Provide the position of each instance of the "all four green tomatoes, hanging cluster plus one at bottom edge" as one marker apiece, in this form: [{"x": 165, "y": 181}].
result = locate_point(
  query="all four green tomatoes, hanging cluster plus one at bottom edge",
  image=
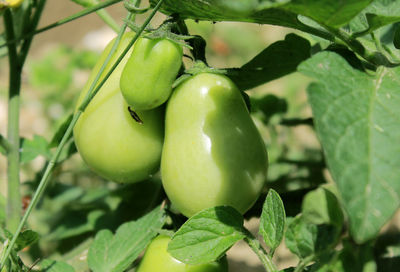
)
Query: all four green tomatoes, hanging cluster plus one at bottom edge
[{"x": 199, "y": 135}]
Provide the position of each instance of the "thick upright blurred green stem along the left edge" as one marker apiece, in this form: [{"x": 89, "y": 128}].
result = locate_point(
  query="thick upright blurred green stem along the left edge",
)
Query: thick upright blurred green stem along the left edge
[{"x": 14, "y": 205}]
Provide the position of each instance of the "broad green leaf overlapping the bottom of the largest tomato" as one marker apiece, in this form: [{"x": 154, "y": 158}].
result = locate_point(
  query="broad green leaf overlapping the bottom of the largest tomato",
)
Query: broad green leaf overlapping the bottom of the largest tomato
[{"x": 207, "y": 235}]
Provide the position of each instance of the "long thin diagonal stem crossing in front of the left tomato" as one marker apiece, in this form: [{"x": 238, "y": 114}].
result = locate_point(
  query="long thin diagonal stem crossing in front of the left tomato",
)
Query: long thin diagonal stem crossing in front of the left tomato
[{"x": 45, "y": 179}]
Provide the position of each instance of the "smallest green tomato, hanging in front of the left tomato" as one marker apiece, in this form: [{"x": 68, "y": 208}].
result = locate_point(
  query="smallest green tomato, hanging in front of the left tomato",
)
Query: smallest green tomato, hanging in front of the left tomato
[{"x": 146, "y": 81}]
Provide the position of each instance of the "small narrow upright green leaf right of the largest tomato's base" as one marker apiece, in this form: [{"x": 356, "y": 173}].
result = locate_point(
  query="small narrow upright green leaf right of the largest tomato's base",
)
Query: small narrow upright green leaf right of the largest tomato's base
[{"x": 272, "y": 221}]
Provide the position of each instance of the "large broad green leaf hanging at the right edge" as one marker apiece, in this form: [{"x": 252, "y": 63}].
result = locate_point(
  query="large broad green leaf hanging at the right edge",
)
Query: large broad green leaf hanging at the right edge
[{"x": 356, "y": 117}]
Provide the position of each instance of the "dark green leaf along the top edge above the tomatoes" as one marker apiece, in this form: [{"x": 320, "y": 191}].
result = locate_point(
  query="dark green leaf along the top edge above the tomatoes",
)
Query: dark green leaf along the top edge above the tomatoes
[{"x": 330, "y": 12}]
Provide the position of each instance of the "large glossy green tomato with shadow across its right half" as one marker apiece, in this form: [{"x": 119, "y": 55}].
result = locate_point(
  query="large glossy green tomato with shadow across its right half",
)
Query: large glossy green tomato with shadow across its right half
[{"x": 213, "y": 153}]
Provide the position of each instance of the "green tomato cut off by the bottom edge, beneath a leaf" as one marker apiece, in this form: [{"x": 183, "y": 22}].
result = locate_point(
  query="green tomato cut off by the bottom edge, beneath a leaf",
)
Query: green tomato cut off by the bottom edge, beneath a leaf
[{"x": 157, "y": 258}]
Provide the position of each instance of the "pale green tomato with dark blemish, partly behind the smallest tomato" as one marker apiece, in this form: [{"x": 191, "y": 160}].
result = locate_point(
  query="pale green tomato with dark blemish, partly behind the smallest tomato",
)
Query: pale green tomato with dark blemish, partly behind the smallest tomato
[{"x": 108, "y": 139}]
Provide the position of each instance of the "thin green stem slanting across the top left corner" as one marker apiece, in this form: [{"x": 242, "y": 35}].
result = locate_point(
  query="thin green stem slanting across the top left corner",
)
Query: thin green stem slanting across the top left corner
[{"x": 65, "y": 20}]
